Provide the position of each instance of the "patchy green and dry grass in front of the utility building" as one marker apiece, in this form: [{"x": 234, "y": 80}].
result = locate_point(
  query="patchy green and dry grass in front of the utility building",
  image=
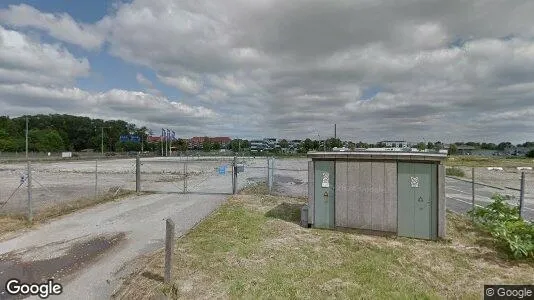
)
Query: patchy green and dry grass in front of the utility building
[{"x": 245, "y": 251}]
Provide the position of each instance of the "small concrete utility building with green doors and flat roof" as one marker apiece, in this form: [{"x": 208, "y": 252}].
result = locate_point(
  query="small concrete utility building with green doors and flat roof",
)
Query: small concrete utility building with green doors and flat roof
[{"x": 398, "y": 192}]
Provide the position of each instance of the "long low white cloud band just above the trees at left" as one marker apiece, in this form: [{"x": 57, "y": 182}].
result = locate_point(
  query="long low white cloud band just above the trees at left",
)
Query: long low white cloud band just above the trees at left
[{"x": 114, "y": 103}]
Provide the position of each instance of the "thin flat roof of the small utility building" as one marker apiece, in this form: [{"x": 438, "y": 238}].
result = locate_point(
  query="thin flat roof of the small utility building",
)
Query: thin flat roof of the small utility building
[{"x": 379, "y": 155}]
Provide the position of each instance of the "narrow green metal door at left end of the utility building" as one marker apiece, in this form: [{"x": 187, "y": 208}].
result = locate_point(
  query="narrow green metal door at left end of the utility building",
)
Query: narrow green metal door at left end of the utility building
[{"x": 324, "y": 194}]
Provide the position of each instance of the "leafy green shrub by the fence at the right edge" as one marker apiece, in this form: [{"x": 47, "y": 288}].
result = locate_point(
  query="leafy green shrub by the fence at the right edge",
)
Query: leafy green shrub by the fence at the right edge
[{"x": 503, "y": 222}]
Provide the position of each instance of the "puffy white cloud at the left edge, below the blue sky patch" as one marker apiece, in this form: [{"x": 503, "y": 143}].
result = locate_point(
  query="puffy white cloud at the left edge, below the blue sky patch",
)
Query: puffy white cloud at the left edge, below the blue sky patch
[{"x": 25, "y": 61}]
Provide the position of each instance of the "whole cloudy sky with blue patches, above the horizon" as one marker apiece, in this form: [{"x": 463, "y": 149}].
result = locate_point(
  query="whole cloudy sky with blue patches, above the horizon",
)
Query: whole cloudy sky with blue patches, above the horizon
[{"x": 405, "y": 69}]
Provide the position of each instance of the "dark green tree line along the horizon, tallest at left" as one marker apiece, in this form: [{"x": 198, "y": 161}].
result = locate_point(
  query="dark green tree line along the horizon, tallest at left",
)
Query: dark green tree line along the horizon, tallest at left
[{"x": 62, "y": 132}]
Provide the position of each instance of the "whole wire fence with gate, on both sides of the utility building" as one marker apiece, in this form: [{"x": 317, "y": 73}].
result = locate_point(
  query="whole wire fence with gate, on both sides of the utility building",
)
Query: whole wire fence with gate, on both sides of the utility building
[{"x": 57, "y": 183}]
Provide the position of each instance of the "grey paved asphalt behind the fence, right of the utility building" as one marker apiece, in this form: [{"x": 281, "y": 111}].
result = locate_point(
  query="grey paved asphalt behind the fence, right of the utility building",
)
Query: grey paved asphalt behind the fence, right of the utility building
[{"x": 459, "y": 197}]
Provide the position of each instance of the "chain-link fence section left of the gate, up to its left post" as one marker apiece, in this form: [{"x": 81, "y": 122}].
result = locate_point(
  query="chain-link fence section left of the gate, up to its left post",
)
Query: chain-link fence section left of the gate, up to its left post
[{"x": 59, "y": 184}]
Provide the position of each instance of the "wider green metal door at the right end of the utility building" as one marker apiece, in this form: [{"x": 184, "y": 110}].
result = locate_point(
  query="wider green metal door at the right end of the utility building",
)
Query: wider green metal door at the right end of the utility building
[{"x": 417, "y": 200}]
